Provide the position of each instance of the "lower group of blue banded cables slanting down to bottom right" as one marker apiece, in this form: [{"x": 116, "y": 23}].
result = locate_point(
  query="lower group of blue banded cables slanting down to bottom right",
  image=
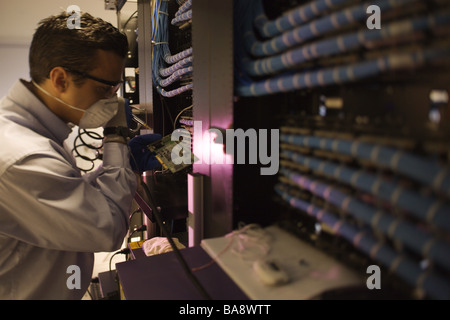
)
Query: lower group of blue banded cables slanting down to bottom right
[{"x": 390, "y": 203}]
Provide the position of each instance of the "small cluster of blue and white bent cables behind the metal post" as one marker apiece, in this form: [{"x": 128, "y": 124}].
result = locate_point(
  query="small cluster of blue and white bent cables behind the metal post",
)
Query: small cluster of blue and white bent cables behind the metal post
[{"x": 172, "y": 67}]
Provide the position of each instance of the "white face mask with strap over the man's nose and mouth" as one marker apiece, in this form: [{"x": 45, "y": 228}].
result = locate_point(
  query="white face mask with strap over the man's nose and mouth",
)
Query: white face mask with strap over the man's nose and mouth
[{"x": 97, "y": 115}]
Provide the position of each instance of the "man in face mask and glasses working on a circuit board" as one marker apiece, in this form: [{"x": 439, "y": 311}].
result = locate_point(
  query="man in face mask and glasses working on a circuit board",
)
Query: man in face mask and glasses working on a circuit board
[{"x": 52, "y": 218}]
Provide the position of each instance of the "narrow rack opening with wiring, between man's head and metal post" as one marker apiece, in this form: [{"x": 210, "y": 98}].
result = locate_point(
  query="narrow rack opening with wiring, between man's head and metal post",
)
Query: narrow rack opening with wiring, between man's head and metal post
[{"x": 172, "y": 62}]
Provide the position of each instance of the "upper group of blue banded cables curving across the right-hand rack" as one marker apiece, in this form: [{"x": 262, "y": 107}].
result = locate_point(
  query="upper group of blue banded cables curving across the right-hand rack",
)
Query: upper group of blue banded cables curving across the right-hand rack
[{"x": 292, "y": 49}]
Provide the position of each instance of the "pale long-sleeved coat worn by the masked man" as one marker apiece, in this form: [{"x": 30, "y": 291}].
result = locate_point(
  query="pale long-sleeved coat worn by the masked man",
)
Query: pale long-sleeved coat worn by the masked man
[{"x": 51, "y": 216}]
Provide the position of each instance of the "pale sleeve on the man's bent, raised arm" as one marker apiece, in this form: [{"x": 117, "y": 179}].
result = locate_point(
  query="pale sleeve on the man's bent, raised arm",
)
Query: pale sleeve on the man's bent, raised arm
[{"x": 46, "y": 202}]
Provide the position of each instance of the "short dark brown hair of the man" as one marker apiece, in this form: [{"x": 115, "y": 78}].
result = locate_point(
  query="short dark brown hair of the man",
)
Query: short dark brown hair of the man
[{"x": 55, "y": 44}]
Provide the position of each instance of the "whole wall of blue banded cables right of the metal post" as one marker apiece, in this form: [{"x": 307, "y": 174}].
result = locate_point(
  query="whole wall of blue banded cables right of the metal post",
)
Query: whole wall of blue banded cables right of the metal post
[{"x": 360, "y": 151}]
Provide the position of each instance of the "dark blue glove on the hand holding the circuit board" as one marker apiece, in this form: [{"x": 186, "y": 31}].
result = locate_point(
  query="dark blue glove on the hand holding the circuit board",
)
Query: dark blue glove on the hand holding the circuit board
[{"x": 141, "y": 158}]
